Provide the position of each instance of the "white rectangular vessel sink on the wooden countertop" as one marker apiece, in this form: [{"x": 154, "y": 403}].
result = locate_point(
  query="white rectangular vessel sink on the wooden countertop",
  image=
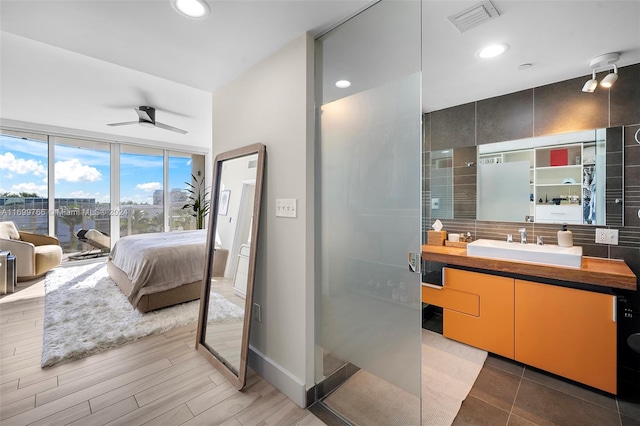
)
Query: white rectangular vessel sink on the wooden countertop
[{"x": 546, "y": 254}]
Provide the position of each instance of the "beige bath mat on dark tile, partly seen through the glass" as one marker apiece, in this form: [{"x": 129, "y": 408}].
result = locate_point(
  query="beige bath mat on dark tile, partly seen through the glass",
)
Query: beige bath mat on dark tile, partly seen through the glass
[{"x": 449, "y": 370}]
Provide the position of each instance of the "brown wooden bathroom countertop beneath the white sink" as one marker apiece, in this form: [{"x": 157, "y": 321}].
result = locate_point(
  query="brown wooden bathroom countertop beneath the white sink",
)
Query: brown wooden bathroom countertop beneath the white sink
[{"x": 602, "y": 272}]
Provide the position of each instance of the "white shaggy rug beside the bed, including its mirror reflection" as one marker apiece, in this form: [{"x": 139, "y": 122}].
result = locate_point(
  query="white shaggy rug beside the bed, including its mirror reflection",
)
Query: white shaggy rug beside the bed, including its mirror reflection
[{"x": 86, "y": 313}]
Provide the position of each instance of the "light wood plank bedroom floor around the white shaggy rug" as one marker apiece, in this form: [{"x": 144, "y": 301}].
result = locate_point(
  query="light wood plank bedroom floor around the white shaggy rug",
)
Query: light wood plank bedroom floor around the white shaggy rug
[{"x": 159, "y": 380}]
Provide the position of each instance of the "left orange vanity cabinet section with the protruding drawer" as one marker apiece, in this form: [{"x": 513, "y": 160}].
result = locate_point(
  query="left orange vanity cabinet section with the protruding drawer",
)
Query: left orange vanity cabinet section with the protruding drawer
[{"x": 477, "y": 309}]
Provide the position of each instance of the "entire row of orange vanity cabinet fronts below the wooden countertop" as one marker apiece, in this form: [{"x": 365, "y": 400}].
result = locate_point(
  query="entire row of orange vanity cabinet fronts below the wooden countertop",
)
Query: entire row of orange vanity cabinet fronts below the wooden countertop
[{"x": 566, "y": 331}]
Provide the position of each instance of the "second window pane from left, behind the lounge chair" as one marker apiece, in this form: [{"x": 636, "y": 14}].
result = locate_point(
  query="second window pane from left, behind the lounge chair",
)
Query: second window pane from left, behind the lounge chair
[{"x": 82, "y": 171}]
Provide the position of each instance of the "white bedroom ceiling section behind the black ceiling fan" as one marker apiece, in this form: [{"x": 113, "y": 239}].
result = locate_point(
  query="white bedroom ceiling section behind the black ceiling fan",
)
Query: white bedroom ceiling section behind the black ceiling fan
[{"x": 76, "y": 95}]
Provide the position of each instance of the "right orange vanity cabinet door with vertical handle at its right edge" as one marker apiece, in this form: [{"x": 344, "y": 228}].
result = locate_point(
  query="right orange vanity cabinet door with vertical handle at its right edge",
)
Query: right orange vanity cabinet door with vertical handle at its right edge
[{"x": 568, "y": 332}]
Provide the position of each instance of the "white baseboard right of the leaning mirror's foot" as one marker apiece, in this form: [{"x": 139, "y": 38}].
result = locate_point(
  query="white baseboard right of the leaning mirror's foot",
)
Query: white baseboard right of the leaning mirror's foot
[{"x": 278, "y": 377}]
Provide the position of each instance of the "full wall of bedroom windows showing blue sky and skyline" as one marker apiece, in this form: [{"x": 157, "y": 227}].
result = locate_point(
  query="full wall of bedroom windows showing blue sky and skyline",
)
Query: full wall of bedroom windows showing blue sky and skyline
[{"x": 59, "y": 185}]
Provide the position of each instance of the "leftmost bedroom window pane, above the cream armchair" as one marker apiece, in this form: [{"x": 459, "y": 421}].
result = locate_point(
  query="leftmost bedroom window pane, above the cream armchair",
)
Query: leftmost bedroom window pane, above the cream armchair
[{"x": 23, "y": 181}]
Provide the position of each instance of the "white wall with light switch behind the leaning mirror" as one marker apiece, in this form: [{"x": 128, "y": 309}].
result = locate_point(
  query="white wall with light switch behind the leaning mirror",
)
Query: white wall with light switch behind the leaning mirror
[{"x": 272, "y": 104}]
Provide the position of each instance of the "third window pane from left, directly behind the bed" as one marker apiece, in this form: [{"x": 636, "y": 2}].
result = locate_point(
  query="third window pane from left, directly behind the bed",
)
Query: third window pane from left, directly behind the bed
[{"x": 141, "y": 190}]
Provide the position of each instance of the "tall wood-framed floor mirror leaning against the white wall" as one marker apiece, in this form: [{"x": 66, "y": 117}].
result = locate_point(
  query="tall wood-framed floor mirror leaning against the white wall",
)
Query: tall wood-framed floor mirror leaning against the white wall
[{"x": 229, "y": 274}]
